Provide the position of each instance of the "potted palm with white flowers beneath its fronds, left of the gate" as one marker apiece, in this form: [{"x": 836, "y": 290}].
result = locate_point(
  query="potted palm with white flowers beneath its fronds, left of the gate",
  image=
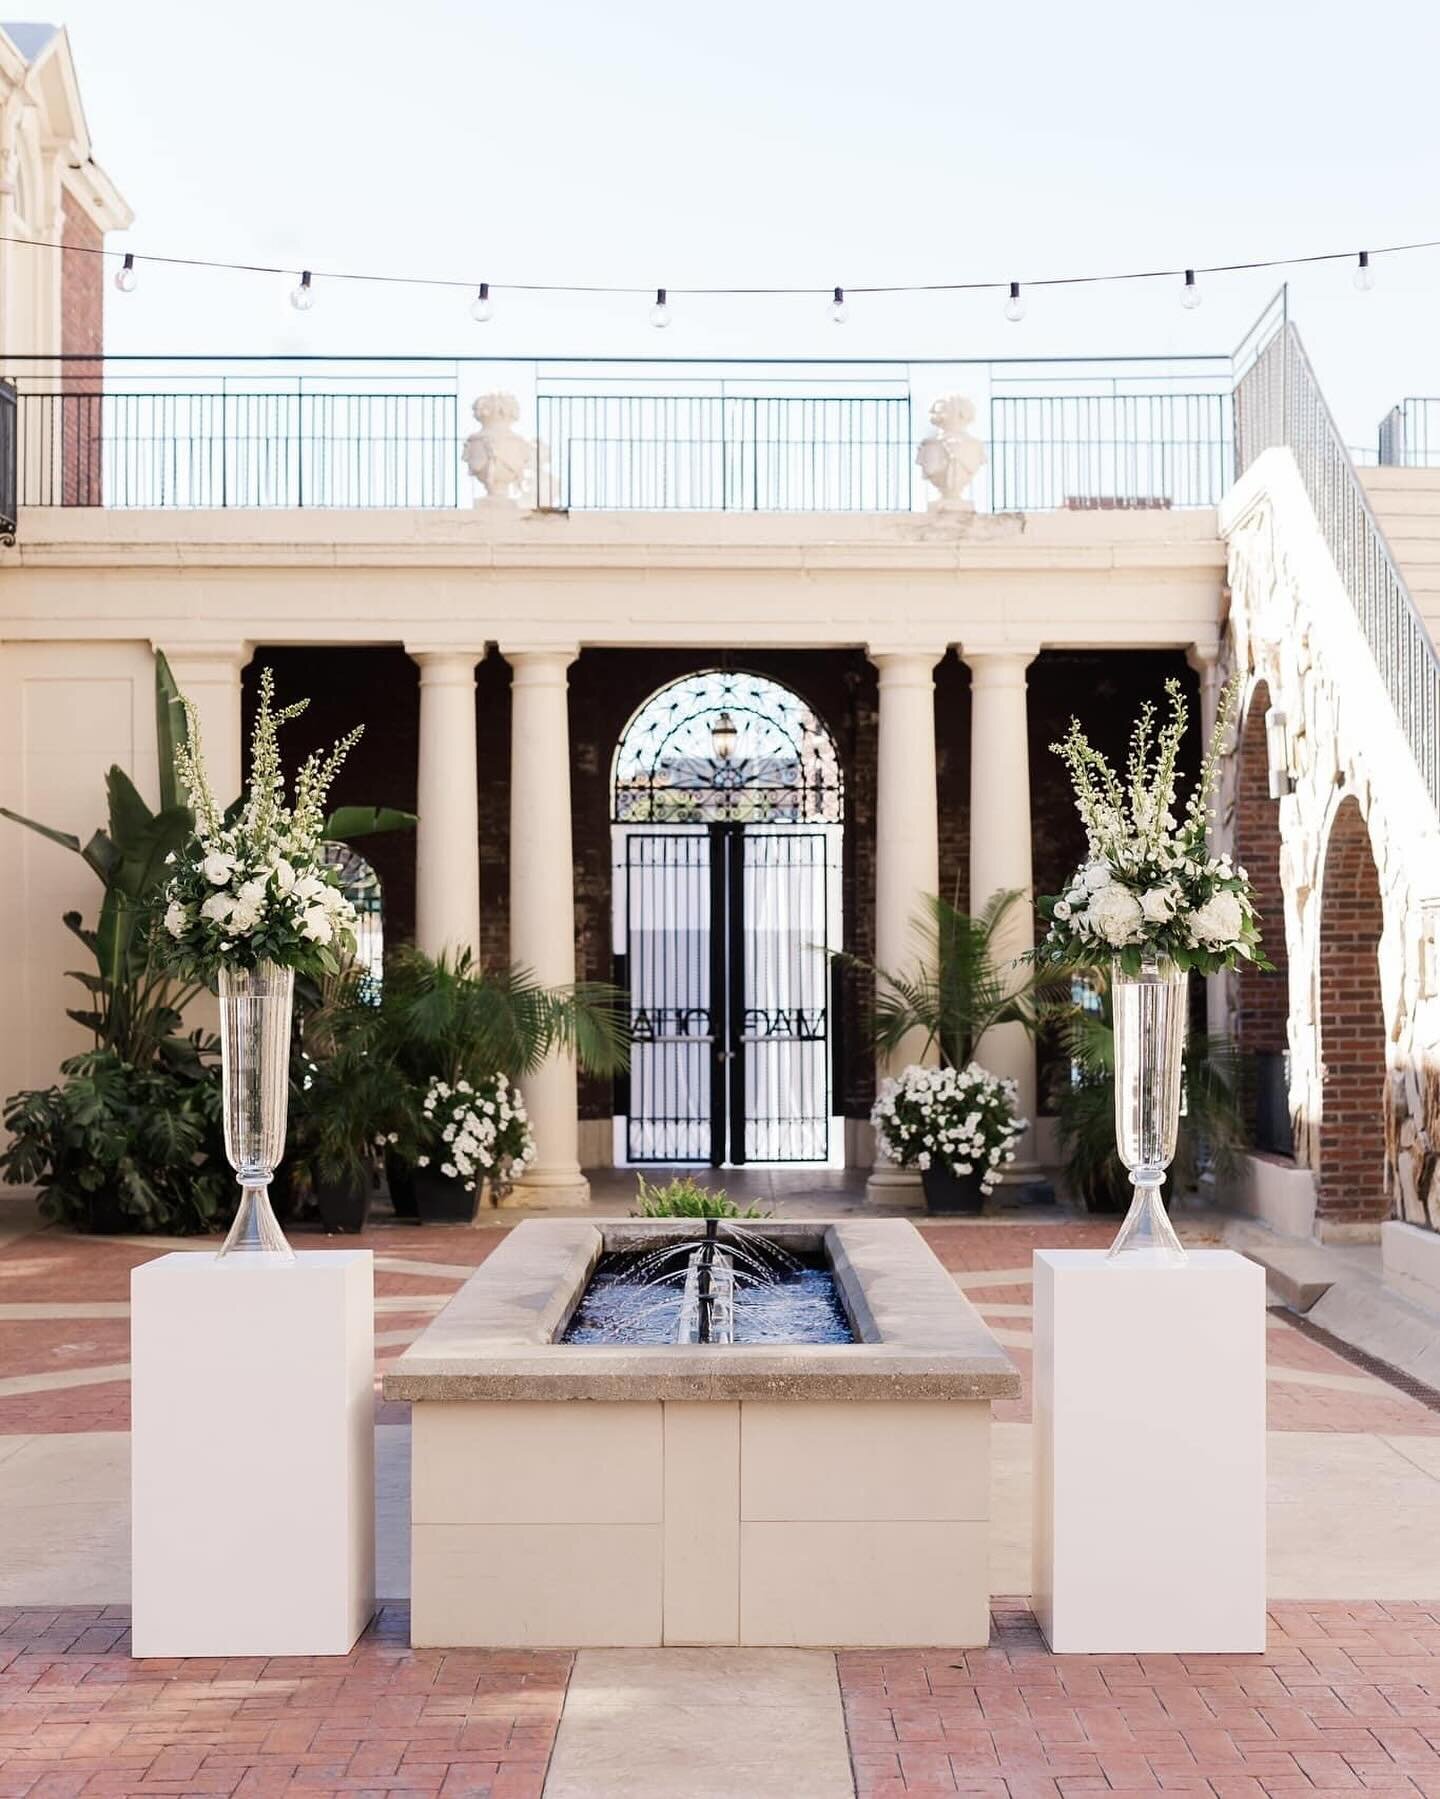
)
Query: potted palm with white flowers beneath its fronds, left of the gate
[{"x": 458, "y": 1039}]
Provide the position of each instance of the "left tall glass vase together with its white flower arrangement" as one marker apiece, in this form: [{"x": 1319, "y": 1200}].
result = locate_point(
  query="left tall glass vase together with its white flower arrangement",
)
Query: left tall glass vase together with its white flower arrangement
[{"x": 249, "y": 904}]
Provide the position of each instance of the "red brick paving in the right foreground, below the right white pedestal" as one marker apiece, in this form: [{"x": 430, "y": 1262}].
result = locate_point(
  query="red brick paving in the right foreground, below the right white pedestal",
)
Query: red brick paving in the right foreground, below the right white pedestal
[{"x": 1347, "y": 1697}]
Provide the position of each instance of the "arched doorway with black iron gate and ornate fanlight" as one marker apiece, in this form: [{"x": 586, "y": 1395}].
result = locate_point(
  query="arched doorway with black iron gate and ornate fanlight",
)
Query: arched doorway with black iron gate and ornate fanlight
[{"x": 728, "y": 812}]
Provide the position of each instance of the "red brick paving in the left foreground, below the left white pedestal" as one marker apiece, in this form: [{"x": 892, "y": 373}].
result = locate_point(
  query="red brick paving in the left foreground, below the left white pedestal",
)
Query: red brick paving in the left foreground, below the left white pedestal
[{"x": 80, "y": 1717}]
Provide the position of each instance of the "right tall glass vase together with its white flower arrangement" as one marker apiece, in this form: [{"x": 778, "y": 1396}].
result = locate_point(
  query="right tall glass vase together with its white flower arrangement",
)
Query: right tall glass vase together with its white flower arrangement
[{"x": 1155, "y": 902}]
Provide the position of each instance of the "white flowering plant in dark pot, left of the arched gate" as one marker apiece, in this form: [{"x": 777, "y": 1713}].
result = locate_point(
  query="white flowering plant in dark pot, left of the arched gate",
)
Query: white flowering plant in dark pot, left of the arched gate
[{"x": 474, "y": 1136}]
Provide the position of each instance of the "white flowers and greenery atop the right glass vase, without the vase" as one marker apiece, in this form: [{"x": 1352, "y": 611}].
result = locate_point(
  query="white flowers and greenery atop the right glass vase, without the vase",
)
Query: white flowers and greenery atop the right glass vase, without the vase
[{"x": 1149, "y": 888}]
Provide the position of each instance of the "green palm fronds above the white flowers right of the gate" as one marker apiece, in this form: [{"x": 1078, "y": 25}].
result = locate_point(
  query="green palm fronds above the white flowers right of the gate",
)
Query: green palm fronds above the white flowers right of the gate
[{"x": 960, "y": 989}]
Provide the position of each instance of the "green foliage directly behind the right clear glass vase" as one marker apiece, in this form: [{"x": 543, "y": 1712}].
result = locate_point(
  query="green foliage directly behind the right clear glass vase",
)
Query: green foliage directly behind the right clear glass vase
[{"x": 1212, "y": 1129}]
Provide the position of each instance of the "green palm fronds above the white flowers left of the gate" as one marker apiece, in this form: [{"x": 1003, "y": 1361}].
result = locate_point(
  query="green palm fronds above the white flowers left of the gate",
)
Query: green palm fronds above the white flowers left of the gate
[{"x": 449, "y": 1019}]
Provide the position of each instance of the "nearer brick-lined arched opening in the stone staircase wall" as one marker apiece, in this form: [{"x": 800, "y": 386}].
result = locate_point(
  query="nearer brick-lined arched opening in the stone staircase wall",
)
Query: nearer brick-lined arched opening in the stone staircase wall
[{"x": 1353, "y": 1037}]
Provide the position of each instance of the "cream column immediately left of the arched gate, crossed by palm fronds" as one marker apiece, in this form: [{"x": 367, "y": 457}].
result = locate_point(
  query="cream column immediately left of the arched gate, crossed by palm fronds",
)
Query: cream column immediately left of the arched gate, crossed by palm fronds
[{"x": 543, "y": 904}]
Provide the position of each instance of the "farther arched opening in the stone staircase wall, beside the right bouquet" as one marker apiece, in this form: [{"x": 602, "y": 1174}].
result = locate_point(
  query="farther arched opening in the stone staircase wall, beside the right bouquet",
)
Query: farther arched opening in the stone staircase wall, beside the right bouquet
[{"x": 1263, "y": 1012}]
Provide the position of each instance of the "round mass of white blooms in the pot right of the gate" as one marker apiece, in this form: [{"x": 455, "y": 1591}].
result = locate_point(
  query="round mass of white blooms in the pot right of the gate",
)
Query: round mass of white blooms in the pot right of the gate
[{"x": 960, "y": 1120}]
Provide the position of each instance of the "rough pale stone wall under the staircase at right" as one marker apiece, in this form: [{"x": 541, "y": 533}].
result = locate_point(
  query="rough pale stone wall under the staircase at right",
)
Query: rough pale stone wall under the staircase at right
[{"x": 1299, "y": 649}]
